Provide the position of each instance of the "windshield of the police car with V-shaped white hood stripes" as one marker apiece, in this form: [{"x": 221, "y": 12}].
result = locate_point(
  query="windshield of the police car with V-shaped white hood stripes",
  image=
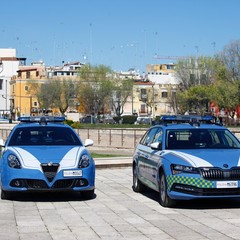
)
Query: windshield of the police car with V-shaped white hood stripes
[{"x": 36, "y": 136}]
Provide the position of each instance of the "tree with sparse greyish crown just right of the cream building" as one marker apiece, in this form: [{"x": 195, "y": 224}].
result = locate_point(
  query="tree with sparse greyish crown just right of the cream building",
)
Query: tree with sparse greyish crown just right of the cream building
[{"x": 197, "y": 78}]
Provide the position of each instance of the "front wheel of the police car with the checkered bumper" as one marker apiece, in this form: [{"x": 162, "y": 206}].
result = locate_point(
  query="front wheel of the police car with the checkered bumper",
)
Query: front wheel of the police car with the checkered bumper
[{"x": 164, "y": 199}]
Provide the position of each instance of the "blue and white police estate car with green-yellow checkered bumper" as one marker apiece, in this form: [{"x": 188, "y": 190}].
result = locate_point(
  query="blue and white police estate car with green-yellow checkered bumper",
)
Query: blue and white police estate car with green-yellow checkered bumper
[{"x": 189, "y": 160}]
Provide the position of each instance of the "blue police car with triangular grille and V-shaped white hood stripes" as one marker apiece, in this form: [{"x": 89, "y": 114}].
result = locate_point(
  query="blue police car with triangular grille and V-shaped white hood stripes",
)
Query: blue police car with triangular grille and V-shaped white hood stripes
[{"x": 44, "y": 154}]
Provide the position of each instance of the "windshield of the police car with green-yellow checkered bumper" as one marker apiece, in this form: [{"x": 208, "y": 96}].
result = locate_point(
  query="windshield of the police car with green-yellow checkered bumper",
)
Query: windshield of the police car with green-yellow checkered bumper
[{"x": 201, "y": 138}]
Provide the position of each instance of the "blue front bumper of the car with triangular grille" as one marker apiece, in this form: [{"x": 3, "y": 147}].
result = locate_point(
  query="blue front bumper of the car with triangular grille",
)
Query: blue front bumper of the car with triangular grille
[{"x": 35, "y": 180}]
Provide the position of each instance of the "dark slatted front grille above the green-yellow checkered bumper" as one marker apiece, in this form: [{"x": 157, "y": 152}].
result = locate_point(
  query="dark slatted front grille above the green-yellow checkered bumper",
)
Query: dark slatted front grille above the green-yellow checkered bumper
[{"x": 220, "y": 174}]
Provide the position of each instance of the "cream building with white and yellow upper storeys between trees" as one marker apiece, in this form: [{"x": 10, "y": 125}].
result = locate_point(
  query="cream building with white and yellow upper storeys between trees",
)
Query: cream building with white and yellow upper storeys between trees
[{"x": 156, "y": 94}]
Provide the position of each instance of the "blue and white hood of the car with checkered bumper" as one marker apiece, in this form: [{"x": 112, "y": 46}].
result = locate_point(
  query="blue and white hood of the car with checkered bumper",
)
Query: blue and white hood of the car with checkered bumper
[{"x": 206, "y": 157}]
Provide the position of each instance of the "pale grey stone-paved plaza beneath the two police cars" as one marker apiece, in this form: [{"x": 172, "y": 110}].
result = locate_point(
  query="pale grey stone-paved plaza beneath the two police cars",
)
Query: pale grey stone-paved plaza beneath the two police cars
[{"x": 116, "y": 213}]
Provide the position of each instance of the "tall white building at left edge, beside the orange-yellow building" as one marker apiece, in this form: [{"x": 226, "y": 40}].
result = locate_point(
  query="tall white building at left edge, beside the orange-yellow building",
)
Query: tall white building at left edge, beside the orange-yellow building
[{"x": 9, "y": 64}]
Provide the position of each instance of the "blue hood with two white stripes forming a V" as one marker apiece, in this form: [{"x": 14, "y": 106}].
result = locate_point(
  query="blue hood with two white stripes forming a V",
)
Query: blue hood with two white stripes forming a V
[{"x": 32, "y": 157}]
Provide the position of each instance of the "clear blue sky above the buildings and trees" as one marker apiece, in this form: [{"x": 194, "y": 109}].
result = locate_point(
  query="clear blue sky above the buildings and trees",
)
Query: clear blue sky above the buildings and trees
[{"x": 120, "y": 34}]
